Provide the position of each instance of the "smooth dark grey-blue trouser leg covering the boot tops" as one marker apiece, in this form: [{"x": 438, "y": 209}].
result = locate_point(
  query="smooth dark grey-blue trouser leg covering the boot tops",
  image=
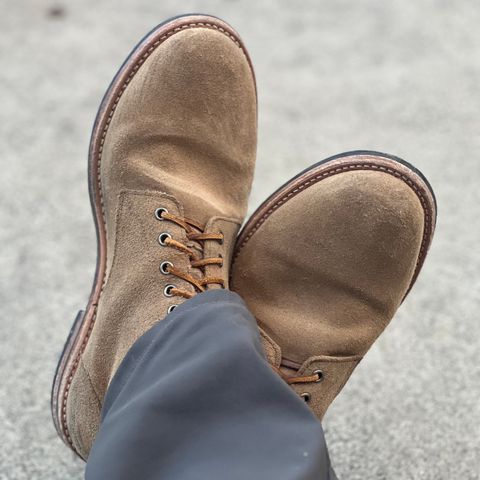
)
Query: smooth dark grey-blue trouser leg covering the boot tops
[{"x": 195, "y": 399}]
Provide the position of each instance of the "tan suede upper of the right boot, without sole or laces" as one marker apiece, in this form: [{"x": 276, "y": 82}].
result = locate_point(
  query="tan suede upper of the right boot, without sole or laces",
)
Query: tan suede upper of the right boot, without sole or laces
[{"x": 326, "y": 271}]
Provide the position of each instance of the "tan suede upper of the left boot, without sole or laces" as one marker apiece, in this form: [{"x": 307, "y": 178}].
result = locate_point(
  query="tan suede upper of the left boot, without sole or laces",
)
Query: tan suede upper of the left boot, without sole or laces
[{"x": 183, "y": 137}]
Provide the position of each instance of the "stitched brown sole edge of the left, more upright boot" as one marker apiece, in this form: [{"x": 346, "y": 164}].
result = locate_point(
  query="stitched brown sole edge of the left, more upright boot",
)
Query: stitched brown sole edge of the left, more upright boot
[{"x": 82, "y": 327}]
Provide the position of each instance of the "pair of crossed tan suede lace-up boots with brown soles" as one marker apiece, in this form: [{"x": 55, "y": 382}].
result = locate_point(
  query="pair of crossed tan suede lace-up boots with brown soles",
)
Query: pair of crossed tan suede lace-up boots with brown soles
[{"x": 323, "y": 264}]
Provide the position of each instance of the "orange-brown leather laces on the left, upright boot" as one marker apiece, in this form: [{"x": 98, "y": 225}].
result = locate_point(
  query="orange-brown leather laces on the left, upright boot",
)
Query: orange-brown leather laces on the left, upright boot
[{"x": 197, "y": 235}]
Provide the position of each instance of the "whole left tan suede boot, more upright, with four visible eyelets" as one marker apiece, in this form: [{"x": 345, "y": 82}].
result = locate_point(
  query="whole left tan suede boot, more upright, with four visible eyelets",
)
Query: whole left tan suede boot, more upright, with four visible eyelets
[{"x": 170, "y": 167}]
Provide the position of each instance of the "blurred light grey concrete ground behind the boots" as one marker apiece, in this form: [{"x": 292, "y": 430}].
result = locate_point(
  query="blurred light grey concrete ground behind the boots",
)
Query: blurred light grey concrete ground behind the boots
[{"x": 399, "y": 77}]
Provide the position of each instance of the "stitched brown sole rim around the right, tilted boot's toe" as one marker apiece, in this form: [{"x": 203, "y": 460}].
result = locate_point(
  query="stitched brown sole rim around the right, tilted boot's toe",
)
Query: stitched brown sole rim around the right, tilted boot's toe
[{"x": 344, "y": 162}]
